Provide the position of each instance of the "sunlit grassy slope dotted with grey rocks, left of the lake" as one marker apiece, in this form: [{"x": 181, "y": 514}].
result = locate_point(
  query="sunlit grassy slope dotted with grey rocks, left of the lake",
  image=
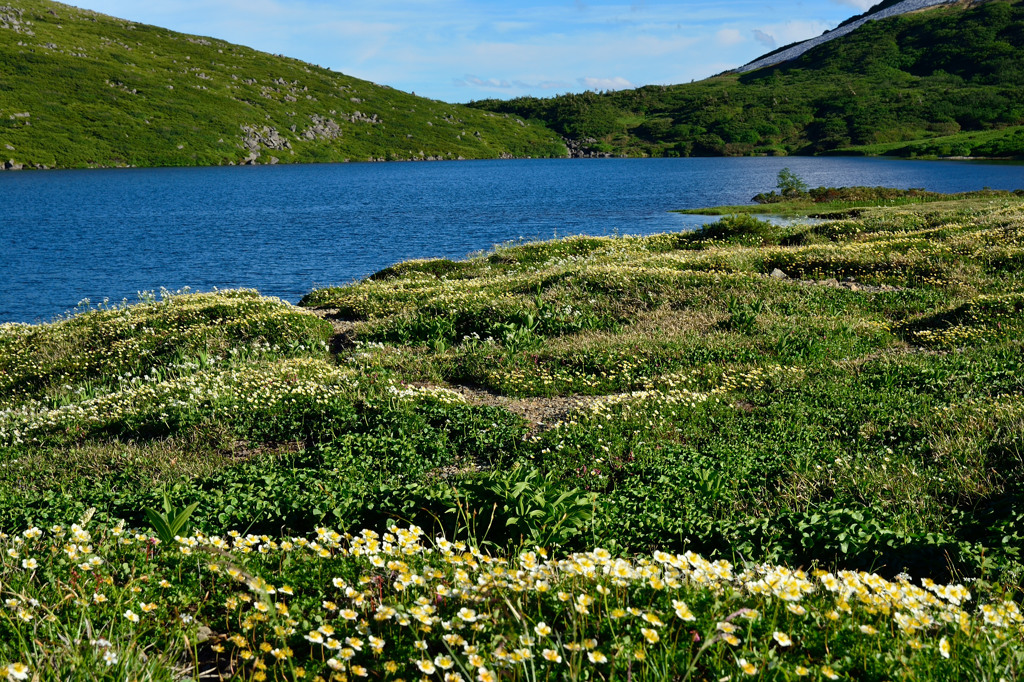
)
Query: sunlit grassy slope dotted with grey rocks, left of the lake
[{"x": 78, "y": 89}]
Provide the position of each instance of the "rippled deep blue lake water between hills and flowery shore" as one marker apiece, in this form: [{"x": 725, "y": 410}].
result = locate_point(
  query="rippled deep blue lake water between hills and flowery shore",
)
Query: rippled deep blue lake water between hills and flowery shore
[{"x": 68, "y": 236}]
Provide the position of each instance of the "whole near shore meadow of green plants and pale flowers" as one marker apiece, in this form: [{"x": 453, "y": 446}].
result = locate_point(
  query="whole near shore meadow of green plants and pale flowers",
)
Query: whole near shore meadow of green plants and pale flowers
[{"x": 750, "y": 451}]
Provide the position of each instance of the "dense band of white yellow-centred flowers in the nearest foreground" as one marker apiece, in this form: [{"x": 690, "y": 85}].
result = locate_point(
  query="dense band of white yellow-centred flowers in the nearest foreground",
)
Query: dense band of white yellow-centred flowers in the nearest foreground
[{"x": 108, "y": 603}]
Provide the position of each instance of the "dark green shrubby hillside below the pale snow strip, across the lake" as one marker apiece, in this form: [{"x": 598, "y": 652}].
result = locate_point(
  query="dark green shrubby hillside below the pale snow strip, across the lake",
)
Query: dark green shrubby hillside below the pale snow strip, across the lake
[{"x": 914, "y": 84}]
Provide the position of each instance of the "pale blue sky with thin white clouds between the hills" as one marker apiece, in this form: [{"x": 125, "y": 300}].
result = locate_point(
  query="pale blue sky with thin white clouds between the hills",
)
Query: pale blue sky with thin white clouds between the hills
[{"x": 459, "y": 51}]
